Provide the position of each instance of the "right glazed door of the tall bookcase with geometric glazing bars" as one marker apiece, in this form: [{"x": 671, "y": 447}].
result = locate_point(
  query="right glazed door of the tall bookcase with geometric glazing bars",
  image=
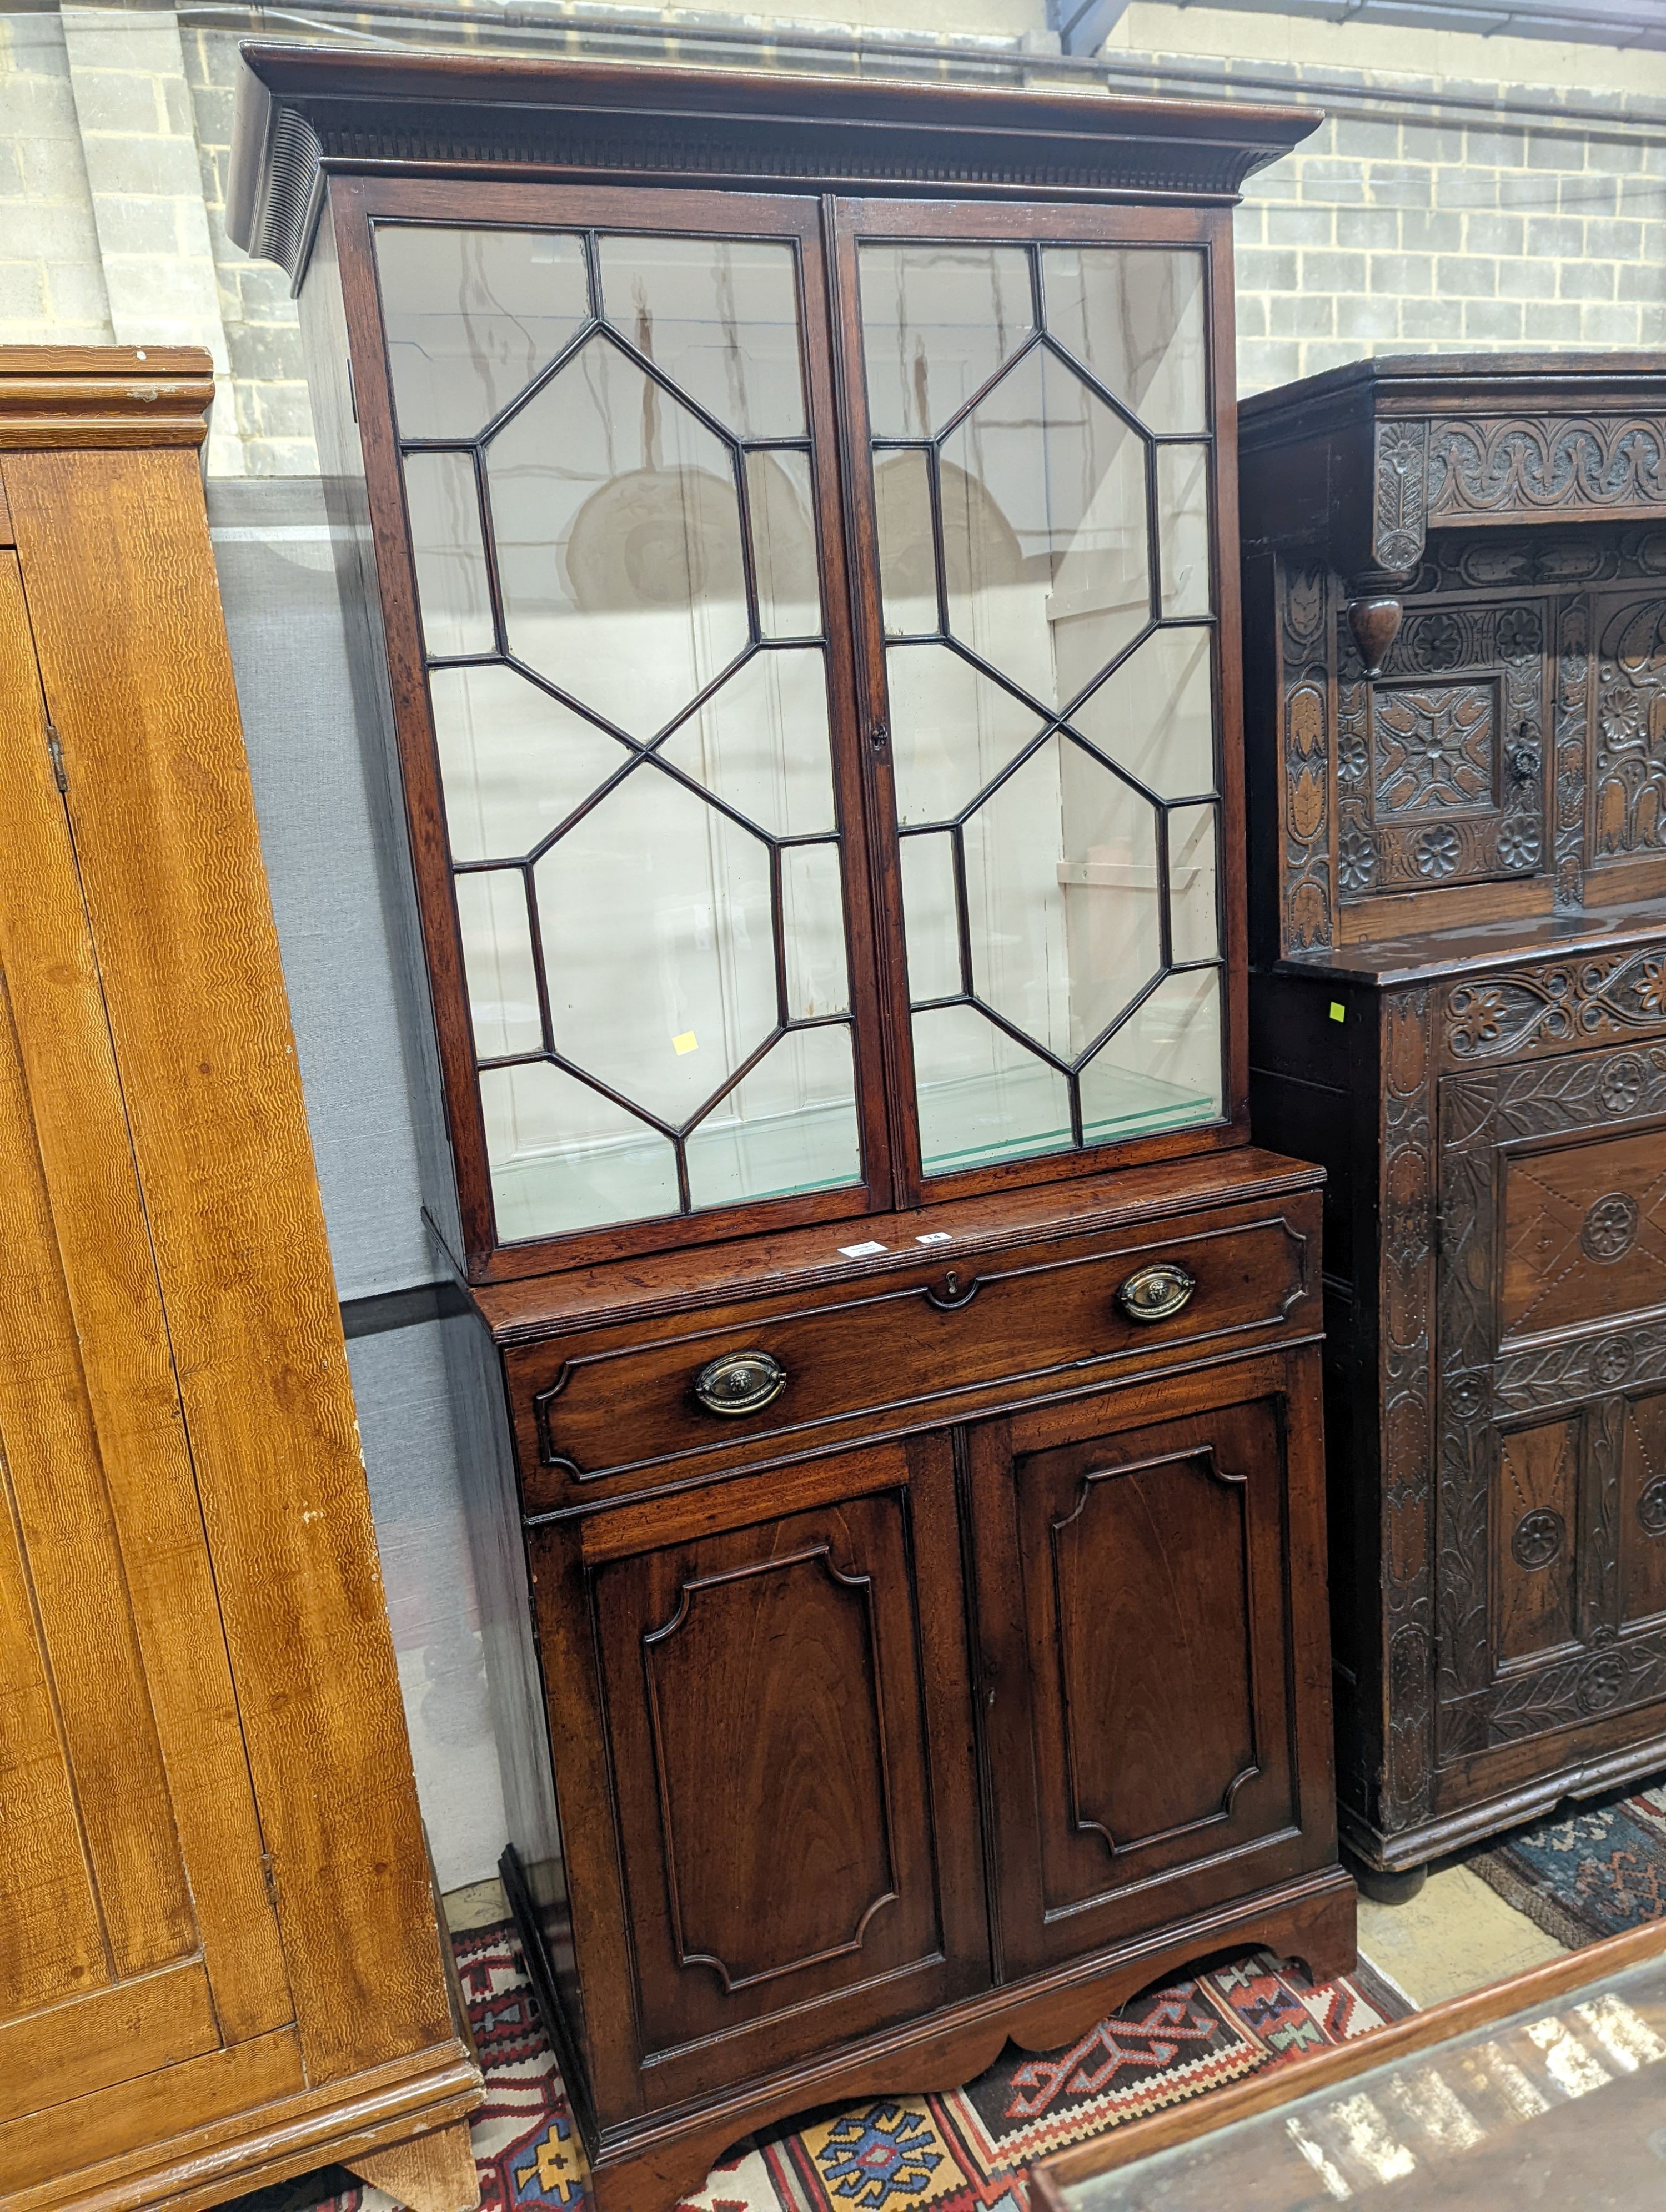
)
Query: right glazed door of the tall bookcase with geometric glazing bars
[{"x": 1048, "y": 625}]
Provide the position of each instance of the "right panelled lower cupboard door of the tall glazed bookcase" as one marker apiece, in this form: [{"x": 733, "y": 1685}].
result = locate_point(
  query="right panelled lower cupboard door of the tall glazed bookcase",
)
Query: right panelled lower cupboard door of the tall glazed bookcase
[{"x": 1136, "y": 1627}]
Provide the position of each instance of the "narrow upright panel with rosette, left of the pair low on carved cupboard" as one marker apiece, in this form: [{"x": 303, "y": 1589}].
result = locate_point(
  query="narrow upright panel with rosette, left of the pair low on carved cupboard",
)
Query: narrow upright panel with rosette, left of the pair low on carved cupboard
[{"x": 1537, "y": 1512}]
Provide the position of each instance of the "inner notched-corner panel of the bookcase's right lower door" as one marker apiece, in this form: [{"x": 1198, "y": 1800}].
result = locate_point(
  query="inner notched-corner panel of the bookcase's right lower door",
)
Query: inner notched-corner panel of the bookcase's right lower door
[{"x": 1118, "y": 1541}]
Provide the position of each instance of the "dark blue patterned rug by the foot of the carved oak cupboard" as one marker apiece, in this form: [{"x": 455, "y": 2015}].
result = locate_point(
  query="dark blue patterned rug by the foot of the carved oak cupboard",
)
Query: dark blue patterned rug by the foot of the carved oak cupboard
[{"x": 1587, "y": 1872}]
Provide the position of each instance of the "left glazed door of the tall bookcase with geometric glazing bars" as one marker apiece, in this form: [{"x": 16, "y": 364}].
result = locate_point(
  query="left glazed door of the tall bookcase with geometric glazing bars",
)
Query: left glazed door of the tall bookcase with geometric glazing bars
[{"x": 605, "y": 435}]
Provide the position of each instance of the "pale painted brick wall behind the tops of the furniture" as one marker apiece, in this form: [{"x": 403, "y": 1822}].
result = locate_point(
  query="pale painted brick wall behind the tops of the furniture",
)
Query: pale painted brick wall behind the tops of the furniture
[{"x": 1450, "y": 211}]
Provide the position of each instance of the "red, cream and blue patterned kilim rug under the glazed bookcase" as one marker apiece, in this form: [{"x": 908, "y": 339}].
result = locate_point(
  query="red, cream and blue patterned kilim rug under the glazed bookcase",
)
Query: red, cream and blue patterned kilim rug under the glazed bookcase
[{"x": 955, "y": 2153}]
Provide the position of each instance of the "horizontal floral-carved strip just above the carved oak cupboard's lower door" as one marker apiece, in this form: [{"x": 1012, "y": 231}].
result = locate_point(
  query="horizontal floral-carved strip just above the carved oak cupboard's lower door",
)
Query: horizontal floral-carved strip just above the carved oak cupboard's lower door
[{"x": 1514, "y": 1014}]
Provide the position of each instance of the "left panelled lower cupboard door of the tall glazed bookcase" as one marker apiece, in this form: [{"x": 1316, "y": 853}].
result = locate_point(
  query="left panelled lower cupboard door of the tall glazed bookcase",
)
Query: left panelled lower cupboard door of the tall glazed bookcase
[{"x": 789, "y": 1733}]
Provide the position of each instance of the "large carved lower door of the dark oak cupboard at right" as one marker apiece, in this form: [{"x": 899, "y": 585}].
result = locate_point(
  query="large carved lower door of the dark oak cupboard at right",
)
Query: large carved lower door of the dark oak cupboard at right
[{"x": 1563, "y": 1244}]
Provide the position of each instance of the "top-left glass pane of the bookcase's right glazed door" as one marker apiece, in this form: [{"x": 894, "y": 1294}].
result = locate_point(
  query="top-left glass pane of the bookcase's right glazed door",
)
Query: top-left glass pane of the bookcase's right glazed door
[{"x": 937, "y": 326}]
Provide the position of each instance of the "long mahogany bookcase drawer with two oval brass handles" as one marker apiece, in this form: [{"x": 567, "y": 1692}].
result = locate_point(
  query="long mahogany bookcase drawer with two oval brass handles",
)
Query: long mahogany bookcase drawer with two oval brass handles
[{"x": 902, "y": 1350}]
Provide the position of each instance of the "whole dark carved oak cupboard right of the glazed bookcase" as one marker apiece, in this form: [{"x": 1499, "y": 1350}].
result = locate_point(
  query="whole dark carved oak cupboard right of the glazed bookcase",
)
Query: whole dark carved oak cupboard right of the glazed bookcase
[{"x": 1457, "y": 722}]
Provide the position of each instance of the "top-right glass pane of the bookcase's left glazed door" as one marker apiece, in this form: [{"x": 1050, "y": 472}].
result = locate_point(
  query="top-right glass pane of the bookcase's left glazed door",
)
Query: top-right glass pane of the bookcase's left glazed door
[{"x": 720, "y": 317}]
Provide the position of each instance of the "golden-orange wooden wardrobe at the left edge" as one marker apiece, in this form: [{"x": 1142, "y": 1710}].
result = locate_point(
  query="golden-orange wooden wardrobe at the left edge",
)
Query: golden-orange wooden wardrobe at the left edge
[{"x": 220, "y": 1959}]
